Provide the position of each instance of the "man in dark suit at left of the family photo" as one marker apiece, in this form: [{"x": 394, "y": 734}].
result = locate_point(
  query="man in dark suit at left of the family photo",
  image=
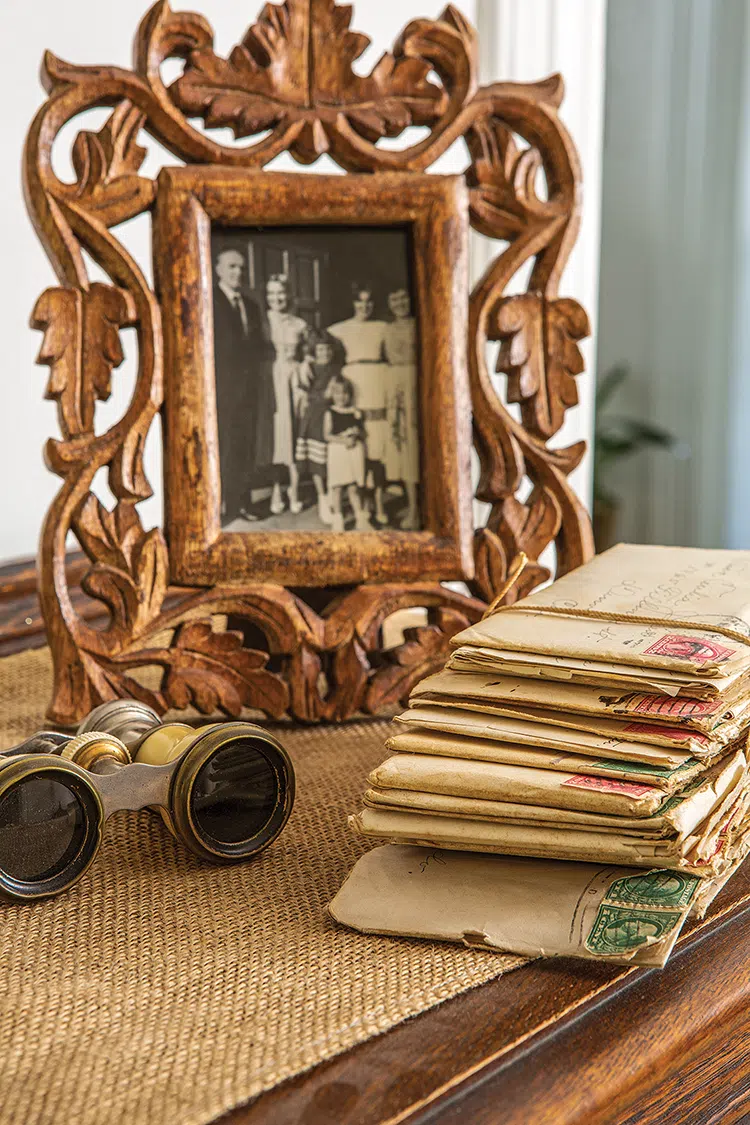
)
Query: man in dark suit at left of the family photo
[{"x": 241, "y": 345}]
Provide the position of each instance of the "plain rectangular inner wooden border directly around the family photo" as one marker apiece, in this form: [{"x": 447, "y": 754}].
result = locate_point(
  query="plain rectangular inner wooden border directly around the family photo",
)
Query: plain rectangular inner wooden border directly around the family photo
[{"x": 432, "y": 211}]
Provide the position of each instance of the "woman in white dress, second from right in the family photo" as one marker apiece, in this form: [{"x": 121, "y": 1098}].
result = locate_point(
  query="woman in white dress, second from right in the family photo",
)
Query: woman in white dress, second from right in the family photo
[{"x": 364, "y": 343}]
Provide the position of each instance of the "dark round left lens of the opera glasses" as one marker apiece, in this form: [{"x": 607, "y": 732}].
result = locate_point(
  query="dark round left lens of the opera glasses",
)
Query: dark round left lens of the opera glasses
[{"x": 42, "y": 830}]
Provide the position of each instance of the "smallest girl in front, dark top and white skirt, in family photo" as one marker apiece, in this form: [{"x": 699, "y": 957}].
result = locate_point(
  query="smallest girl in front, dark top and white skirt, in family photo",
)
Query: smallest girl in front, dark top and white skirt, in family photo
[{"x": 344, "y": 428}]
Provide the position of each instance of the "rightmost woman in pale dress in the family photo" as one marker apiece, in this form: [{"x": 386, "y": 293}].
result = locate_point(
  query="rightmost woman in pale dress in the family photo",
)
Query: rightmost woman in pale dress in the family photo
[{"x": 403, "y": 447}]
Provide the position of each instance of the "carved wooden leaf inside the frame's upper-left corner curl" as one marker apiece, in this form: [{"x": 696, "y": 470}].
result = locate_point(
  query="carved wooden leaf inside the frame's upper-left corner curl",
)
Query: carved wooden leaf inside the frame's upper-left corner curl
[{"x": 107, "y": 164}]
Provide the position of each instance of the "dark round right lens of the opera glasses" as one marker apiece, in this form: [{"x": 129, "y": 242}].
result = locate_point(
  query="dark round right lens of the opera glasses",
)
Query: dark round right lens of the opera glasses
[{"x": 236, "y": 794}]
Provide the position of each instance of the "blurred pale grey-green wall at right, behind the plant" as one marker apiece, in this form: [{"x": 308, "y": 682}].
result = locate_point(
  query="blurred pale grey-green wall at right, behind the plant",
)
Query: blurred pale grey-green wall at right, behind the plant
[{"x": 670, "y": 256}]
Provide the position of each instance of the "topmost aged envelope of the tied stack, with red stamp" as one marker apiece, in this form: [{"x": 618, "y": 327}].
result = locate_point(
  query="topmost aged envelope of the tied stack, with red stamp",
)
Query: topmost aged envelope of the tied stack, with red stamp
[{"x": 682, "y": 609}]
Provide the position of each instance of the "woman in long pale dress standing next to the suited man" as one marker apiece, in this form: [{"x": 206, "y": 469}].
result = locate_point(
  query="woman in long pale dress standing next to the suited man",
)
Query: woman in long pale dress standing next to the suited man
[{"x": 288, "y": 335}]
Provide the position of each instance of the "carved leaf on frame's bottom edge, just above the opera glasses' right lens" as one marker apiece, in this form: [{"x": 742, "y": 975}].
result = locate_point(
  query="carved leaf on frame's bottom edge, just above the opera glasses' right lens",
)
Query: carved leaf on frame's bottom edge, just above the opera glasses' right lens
[{"x": 214, "y": 672}]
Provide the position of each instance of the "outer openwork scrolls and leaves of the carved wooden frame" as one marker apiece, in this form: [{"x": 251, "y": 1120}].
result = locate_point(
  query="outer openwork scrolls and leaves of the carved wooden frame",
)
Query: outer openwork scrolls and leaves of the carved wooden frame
[{"x": 292, "y": 85}]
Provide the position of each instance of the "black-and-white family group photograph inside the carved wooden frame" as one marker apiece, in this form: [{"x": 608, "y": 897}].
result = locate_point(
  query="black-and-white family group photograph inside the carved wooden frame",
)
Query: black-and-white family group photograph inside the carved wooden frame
[{"x": 315, "y": 345}]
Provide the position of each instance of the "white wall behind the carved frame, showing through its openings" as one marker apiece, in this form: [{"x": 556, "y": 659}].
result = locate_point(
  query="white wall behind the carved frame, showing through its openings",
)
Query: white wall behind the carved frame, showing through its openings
[{"x": 521, "y": 40}]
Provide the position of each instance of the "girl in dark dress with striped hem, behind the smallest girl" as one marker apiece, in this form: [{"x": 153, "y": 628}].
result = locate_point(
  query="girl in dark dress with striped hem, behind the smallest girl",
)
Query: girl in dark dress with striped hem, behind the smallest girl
[{"x": 312, "y": 453}]
